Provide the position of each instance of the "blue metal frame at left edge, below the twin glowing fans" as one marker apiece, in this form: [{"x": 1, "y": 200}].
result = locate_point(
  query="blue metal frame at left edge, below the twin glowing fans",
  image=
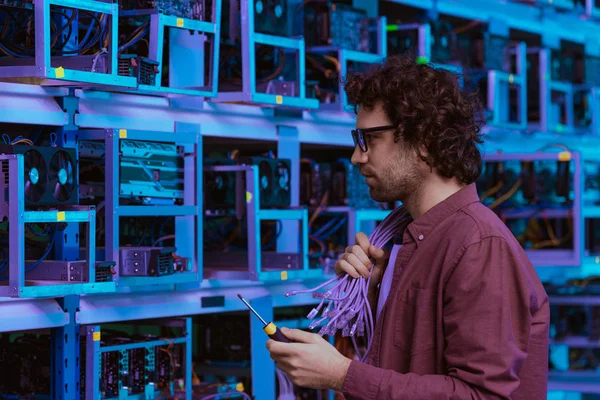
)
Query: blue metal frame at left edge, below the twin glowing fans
[{"x": 18, "y": 217}]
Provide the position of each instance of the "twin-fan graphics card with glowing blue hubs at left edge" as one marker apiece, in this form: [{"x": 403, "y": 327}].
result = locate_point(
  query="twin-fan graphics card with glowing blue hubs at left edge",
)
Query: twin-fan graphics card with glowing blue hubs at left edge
[{"x": 50, "y": 174}]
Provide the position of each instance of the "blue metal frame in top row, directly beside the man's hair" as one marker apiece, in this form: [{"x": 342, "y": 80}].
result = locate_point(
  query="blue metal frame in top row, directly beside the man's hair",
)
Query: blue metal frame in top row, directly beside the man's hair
[{"x": 345, "y": 56}]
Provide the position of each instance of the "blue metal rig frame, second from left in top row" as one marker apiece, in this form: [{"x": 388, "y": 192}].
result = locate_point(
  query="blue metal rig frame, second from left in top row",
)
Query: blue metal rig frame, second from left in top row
[{"x": 158, "y": 23}]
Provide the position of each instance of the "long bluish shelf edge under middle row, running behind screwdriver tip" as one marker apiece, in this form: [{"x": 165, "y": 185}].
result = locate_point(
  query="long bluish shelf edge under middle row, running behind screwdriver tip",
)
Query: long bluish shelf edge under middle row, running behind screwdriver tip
[{"x": 134, "y": 306}]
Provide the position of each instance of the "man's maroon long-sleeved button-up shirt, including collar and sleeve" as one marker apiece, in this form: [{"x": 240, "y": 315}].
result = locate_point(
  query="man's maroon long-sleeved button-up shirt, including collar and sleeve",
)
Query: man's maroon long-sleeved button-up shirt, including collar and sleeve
[{"x": 466, "y": 318}]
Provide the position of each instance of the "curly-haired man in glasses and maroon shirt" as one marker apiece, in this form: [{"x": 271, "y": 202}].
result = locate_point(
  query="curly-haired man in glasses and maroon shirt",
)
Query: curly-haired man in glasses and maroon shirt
[{"x": 461, "y": 313}]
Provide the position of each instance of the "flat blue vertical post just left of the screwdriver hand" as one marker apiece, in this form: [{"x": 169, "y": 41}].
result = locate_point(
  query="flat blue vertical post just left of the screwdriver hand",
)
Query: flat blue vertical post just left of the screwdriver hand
[{"x": 262, "y": 368}]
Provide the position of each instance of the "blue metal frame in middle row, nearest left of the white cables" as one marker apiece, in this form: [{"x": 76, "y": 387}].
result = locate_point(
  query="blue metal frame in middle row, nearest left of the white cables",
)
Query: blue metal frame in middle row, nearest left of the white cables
[{"x": 254, "y": 216}]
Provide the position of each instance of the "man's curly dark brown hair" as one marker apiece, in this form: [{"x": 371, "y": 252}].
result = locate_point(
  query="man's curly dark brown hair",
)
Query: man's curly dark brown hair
[{"x": 428, "y": 107}]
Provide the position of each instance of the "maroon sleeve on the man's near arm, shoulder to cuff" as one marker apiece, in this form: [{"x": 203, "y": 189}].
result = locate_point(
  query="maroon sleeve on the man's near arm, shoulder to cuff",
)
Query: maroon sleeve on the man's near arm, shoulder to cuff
[{"x": 487, "y": 320}]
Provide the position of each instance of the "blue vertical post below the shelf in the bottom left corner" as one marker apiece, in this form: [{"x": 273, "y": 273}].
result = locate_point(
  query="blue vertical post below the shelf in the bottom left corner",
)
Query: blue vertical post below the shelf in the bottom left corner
[{"x": 65, "y": 354}]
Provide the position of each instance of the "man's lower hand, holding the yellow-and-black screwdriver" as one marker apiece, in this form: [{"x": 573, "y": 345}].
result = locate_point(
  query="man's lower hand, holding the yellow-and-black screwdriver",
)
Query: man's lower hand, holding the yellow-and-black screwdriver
[{"x": 309, "y": 361}]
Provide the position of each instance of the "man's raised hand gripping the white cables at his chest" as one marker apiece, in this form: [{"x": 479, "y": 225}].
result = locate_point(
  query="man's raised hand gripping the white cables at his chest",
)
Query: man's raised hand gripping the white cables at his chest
[{"x": 358, "y": 259}]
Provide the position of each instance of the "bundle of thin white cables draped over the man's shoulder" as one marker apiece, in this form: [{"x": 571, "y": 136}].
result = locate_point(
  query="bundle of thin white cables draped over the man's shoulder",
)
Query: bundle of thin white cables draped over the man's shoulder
[{"x": 347, "y": 307}]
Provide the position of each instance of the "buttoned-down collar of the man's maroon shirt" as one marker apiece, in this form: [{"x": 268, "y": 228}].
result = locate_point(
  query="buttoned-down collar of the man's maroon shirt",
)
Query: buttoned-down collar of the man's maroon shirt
[{"x": 419, "y": 229}]
